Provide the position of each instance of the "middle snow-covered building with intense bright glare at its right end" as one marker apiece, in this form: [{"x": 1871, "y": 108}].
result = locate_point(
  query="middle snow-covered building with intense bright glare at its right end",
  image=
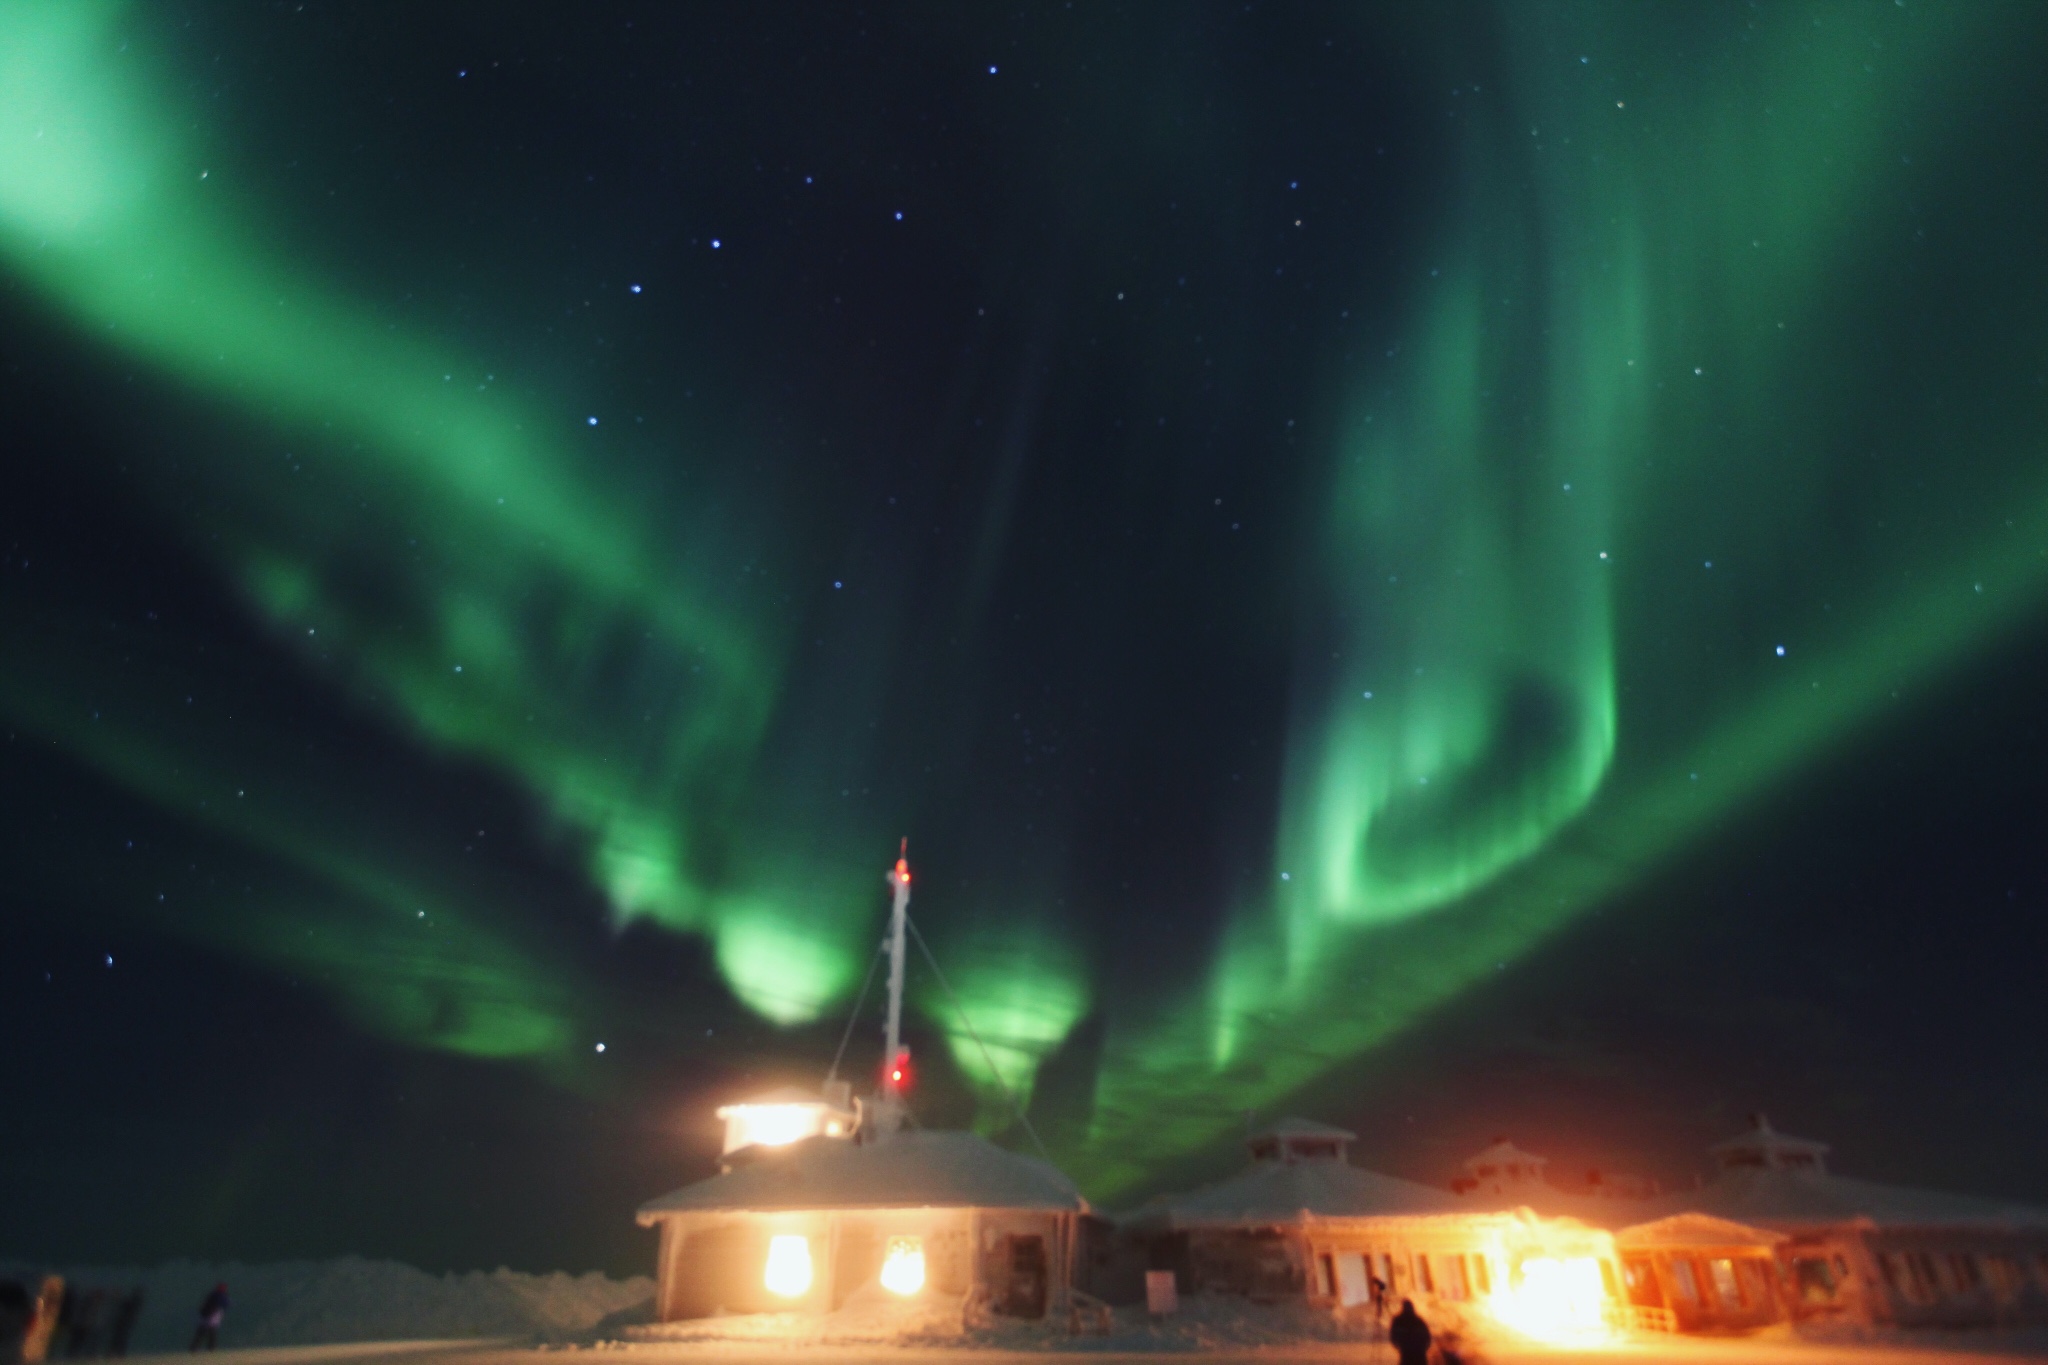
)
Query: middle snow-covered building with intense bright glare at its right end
[{"x": 1302, "y": 1223}]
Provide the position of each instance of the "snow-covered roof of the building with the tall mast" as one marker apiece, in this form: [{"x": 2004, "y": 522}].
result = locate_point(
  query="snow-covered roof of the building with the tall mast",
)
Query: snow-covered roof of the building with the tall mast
[{"x": 912, "y": 1170}]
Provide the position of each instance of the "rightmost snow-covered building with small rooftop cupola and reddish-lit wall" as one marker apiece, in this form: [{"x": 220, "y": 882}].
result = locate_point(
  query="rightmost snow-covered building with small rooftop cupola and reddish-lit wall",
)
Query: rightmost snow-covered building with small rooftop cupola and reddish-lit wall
[{"x": 1879, "y": 1253}]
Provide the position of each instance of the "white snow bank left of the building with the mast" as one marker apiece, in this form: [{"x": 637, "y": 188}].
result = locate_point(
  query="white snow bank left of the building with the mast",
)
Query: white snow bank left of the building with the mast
[{"x": 306, "y": 1303}]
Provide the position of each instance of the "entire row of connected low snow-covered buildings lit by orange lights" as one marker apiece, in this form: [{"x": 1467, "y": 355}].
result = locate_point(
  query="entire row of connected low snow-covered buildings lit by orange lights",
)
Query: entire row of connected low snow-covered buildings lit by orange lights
[{"x": 812, "y": 1217}]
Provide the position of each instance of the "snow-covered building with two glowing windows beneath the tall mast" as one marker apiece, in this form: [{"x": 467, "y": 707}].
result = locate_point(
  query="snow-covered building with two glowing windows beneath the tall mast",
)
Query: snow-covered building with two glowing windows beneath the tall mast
[{"x": 941, "y": 1221}]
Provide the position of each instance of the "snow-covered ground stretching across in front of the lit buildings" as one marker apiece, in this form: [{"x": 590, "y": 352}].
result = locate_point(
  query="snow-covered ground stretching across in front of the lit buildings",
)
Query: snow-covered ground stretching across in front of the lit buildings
[{"x": 382, "y": 1313}]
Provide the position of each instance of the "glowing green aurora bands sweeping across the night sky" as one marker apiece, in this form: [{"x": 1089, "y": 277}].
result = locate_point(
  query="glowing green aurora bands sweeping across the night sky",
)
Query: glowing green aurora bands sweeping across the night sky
[{"x": 1601, "y": 552}]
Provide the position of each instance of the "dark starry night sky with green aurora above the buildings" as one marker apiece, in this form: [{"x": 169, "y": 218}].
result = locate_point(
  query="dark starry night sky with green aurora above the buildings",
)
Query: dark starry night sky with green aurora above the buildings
[{"x": 1465, "y": 572}]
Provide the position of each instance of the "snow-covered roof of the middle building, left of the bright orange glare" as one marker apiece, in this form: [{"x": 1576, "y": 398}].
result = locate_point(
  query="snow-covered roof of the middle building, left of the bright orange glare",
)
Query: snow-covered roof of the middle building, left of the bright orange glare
[{"x": 1275, "y": 1194}]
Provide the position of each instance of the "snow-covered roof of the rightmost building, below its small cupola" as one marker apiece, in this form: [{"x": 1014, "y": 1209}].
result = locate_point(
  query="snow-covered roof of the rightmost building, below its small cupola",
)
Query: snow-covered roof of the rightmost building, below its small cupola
[{"x": 1779, "y": 1198}]
